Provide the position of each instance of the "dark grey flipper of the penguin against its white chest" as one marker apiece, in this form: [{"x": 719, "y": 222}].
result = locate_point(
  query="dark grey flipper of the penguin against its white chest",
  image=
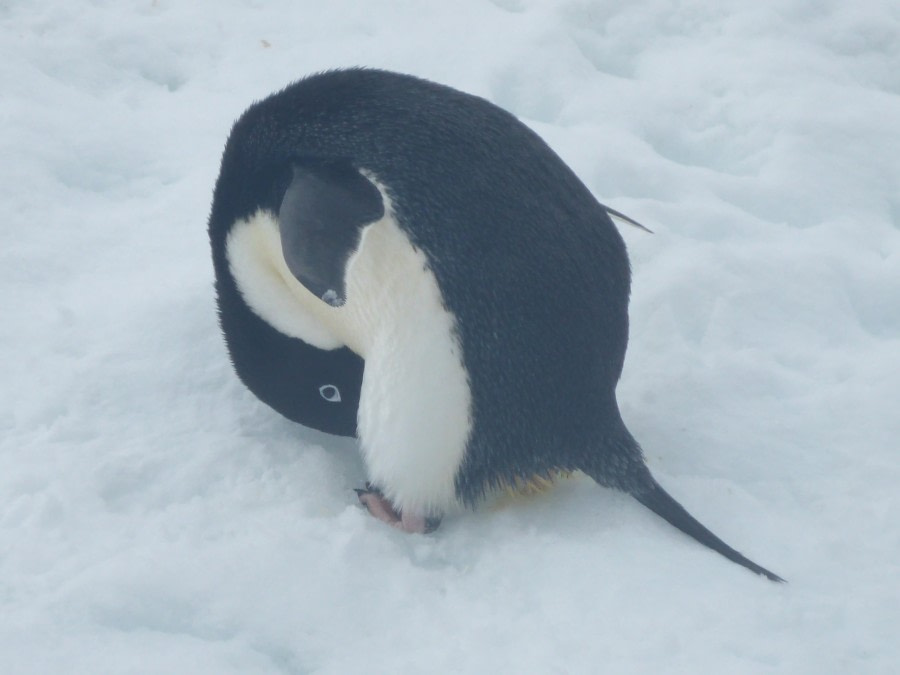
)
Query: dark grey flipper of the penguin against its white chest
[{"x": 320, "y": 219}]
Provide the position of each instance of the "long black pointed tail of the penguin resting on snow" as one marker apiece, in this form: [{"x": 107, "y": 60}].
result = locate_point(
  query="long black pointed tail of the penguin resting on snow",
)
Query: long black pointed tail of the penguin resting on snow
[{"x": 622, "y": 467}]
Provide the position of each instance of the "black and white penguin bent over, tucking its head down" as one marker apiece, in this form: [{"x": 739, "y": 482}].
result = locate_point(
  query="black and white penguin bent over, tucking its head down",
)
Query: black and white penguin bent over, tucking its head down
[{"x": 375, "y": 225}]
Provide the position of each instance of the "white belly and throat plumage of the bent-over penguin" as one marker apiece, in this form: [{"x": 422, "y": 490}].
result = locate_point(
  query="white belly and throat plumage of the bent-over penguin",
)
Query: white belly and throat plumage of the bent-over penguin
[{"x": 415, "y": 406}]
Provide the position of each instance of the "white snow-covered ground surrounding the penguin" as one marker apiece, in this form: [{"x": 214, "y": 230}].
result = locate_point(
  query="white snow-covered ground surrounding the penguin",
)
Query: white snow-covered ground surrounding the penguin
[{"x": 155, "y": 518}]
